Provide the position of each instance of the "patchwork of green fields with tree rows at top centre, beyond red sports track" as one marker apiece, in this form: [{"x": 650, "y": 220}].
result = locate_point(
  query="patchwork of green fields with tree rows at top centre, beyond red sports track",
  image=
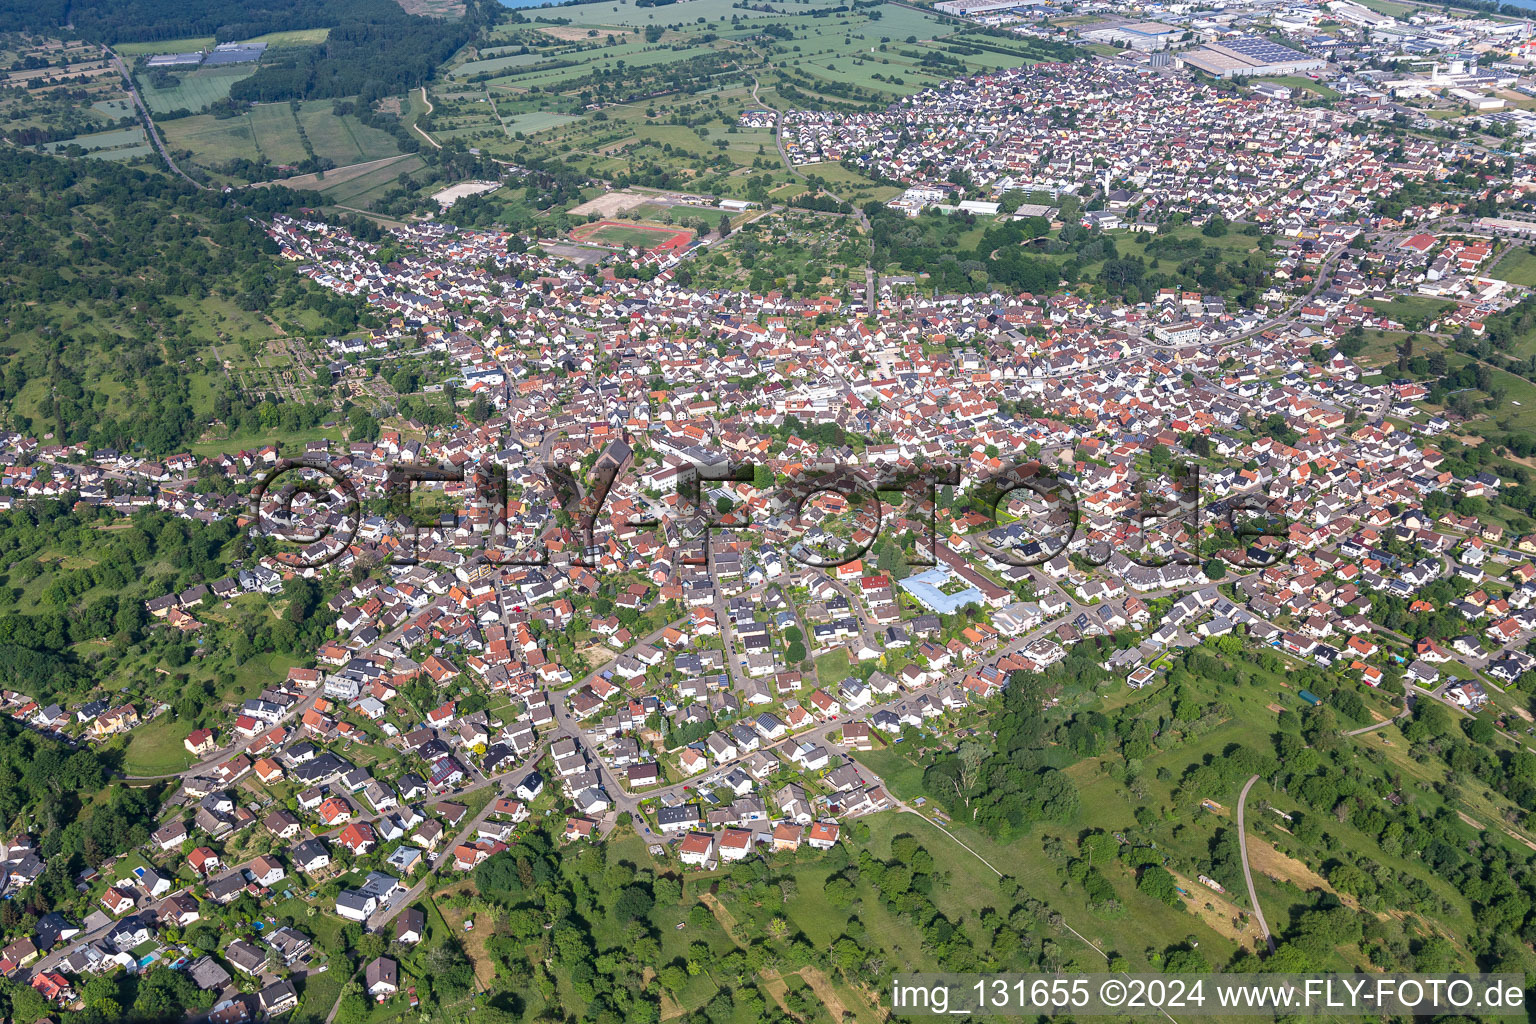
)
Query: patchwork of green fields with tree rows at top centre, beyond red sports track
[{"x": 578, "y": 84}]
